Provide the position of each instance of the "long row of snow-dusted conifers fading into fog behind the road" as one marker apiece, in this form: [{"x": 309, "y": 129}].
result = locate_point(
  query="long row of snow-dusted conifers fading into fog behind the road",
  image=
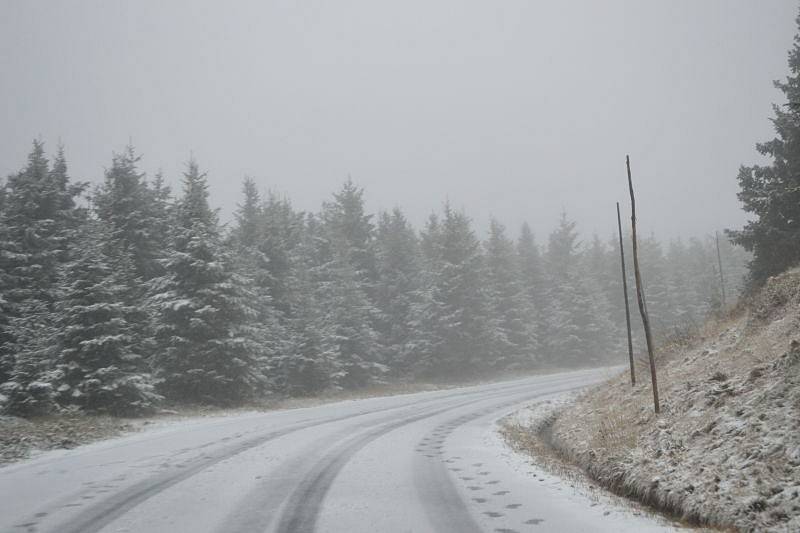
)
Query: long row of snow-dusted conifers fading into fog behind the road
[{"x": 144, "y": 298}]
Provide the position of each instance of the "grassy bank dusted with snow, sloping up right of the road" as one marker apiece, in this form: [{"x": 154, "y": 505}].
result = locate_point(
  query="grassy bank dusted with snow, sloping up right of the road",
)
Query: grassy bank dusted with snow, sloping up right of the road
[{"x": 725, "y": 451}]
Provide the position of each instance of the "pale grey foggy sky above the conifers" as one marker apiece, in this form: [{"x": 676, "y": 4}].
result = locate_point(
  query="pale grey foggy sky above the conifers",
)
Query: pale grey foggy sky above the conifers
[{"x": 511, "y": 108}]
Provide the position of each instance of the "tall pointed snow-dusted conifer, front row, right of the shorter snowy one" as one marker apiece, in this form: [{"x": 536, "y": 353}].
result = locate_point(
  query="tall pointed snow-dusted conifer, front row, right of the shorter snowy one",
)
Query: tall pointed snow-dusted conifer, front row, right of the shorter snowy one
[{"x": 206, "y": 352}]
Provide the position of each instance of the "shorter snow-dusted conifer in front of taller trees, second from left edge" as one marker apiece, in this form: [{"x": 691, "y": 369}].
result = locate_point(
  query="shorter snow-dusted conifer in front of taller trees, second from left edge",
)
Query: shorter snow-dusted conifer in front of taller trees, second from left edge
[{"x": 99, "y": 365}]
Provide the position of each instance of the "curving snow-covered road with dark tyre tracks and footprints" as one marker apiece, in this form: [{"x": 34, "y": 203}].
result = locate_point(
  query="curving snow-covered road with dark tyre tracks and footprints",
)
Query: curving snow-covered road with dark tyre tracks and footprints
[{"x": 426, "y": 462}]
